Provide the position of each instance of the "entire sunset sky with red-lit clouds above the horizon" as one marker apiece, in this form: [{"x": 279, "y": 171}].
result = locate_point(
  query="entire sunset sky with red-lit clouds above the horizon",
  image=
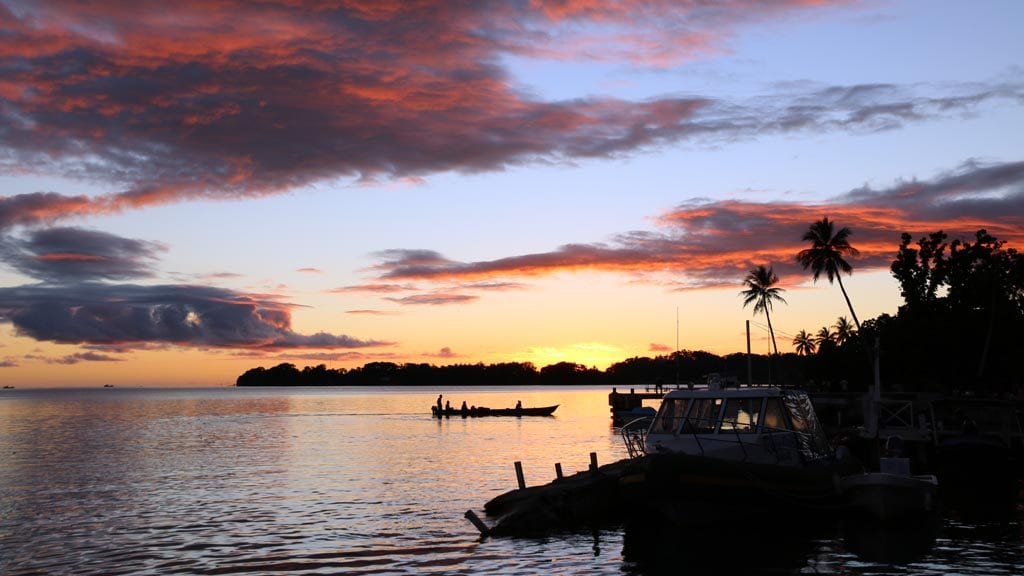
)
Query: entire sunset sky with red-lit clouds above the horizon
[{"x": 191, "y": 190}]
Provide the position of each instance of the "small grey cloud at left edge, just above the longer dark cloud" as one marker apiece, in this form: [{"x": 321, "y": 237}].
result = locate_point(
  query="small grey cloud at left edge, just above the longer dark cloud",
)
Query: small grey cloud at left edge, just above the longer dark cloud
[{"x": 72, "y": 255}]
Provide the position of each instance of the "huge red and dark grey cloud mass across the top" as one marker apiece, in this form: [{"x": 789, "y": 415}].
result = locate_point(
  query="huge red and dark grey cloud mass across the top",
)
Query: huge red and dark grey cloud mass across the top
[{"x": 227, "y": 100}]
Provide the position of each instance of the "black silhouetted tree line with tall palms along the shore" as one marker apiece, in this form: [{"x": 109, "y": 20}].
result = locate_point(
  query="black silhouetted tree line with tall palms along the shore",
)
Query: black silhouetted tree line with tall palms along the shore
[{"x": 959, "y": 330}]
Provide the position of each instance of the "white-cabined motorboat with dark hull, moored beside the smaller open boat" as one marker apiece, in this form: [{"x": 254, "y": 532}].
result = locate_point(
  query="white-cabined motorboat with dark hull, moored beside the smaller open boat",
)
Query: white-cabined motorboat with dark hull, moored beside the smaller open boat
[{"x": 745, "y": 448}]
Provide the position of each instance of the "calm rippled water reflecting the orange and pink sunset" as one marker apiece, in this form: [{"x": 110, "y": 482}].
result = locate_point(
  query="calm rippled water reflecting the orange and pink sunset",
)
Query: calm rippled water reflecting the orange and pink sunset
[{"x": 238, "y": 481}]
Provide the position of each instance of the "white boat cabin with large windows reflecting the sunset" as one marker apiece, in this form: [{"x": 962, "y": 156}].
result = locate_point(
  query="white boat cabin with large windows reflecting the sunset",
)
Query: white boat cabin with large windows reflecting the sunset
[{"x": 757, "y": 425}]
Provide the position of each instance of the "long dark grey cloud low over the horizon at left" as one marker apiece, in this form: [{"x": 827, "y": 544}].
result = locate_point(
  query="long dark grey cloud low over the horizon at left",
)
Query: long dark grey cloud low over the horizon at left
[{"x": 127, "y": 315}]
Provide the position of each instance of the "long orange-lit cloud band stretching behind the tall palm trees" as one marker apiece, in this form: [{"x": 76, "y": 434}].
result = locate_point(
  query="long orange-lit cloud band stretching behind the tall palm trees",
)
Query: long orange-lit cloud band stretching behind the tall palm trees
[{"x": 706, "y": 244}]
